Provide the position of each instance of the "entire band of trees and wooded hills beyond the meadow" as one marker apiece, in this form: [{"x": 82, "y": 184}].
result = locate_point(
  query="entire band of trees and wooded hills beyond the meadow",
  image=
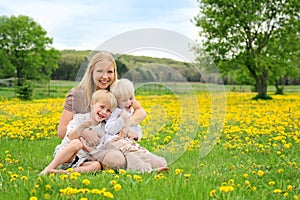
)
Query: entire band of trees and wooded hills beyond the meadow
[{"x": 251, "y": 42}]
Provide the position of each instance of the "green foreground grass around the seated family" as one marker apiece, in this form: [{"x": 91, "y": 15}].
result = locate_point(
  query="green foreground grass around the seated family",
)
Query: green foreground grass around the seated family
[{"x": 205, "y": 173}]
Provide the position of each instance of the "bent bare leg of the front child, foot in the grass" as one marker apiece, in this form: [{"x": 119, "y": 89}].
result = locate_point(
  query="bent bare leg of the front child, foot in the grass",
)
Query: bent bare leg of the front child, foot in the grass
[{"x": 66, "y": 155}]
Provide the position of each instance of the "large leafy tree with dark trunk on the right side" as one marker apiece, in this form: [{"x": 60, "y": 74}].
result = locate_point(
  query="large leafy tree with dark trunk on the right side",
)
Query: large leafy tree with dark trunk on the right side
[{"x": 241, "y": 31}]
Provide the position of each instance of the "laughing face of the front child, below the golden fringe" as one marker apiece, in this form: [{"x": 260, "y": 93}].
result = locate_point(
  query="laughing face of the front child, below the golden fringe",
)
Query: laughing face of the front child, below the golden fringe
[{"x": 100, "y": 111}]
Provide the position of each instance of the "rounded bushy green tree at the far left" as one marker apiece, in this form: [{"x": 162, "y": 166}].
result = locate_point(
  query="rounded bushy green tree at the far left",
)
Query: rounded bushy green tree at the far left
[{"x": 25, "y": 49}]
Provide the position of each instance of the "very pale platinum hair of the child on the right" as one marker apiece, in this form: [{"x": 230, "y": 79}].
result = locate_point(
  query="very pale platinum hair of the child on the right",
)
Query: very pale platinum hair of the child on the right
[{"x": 122, "y": 88}]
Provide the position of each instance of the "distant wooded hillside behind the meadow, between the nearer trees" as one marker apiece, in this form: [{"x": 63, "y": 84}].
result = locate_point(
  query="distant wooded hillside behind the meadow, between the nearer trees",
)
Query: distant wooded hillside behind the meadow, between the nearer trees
[{"x": 72, "y": 65}]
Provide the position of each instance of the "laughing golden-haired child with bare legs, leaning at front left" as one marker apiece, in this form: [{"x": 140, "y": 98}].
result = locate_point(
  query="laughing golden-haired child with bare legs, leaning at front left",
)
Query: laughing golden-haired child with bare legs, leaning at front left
[{"x": 72, "y": 153}]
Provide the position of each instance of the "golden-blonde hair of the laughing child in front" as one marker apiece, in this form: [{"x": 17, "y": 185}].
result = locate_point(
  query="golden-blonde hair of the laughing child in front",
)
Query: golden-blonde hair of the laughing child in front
[{"x": 105, "y": 97}]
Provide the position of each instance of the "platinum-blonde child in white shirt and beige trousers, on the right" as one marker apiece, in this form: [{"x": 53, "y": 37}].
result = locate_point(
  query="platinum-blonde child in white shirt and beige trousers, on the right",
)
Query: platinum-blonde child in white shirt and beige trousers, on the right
[{"x": 138, "y": 158}]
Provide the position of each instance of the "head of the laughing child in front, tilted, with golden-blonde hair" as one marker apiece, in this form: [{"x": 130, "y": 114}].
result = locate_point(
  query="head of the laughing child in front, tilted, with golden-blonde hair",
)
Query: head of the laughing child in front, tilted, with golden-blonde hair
[{"x": 103, "y": 103}]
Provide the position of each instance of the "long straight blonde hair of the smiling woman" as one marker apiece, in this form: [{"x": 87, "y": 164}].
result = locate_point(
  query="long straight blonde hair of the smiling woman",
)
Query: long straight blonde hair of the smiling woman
[{"x": 87, "y": 83}]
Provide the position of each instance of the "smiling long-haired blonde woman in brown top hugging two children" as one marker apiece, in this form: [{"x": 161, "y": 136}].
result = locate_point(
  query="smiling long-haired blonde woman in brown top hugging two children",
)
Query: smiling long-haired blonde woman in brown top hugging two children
[{"x": 101, "y": 72}]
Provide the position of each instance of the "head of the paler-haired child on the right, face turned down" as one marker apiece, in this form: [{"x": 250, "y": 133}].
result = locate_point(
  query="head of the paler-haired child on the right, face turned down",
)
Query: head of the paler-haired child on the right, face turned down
[{"x": 123, "y": 90}]
